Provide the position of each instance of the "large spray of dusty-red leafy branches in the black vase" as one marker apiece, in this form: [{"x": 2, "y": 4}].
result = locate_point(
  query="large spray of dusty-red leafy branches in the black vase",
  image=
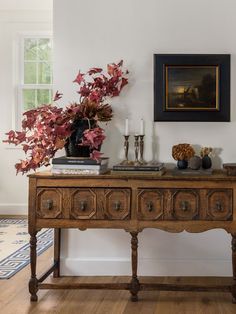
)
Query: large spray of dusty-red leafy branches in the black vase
[{"x": 47, "y": 128}]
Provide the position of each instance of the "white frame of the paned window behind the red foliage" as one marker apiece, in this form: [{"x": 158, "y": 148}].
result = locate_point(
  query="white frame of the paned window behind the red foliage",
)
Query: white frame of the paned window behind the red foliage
[{"x": 20, "y": 86}]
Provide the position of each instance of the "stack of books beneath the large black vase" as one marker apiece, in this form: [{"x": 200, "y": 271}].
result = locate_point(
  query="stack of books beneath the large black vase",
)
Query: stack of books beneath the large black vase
[{"x": 78, "y": 165}]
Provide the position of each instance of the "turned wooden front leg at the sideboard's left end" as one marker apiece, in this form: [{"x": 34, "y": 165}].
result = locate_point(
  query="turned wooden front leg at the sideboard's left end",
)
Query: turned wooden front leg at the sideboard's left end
[{"x": 33, "y": 282}]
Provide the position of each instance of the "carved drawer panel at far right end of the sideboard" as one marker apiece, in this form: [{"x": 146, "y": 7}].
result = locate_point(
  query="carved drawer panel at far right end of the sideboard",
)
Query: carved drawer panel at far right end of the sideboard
[{"x": 220, "y": 204}]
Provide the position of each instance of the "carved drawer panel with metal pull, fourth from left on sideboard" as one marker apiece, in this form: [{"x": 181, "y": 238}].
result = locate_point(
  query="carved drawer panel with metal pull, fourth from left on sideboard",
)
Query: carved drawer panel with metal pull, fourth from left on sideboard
[{"x": 150, "y": 204}]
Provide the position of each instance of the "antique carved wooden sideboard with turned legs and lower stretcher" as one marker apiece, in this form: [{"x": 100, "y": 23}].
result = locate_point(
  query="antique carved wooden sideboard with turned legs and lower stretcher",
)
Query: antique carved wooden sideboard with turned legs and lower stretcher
[{"x": 170, "y": 203}]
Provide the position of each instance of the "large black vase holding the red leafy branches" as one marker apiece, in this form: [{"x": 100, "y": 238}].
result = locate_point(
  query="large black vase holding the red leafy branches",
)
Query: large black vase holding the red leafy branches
[{"x": 72, "y": 146}]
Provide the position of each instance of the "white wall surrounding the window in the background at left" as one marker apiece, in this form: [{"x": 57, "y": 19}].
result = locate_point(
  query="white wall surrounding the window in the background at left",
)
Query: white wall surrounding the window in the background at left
[{"x": 16, "y": 17}]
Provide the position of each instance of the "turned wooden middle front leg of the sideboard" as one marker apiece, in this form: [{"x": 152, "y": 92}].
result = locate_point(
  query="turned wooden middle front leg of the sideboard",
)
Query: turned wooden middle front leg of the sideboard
[{"x": 134, "y": 285}]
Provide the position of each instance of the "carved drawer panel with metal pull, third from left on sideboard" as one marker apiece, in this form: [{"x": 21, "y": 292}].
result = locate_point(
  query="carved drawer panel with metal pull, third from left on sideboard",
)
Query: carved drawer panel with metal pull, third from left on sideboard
[{"x": 117, "y": 204}]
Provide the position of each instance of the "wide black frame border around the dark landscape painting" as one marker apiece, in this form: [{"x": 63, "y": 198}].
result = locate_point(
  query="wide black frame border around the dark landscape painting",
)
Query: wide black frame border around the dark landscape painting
[{"x": 221, "y": 60}]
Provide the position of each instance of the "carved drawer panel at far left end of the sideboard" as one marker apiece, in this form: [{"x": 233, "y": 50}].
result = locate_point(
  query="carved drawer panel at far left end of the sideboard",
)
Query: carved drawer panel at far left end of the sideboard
[{"x": 49, "y": 203}]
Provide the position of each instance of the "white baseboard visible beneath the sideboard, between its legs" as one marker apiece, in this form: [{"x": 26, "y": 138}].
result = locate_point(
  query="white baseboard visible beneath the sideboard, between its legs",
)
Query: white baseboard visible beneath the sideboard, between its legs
[{"x": 146, "y": 267}]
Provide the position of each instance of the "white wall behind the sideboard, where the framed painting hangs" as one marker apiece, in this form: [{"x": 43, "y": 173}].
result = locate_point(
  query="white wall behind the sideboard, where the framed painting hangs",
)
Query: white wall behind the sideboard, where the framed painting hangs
[{"x": 95, "y": 33}]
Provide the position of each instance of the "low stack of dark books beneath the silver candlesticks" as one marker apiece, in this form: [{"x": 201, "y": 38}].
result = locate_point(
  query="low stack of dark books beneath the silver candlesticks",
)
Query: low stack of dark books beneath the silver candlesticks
[{"x": 149, "y": 168}]
